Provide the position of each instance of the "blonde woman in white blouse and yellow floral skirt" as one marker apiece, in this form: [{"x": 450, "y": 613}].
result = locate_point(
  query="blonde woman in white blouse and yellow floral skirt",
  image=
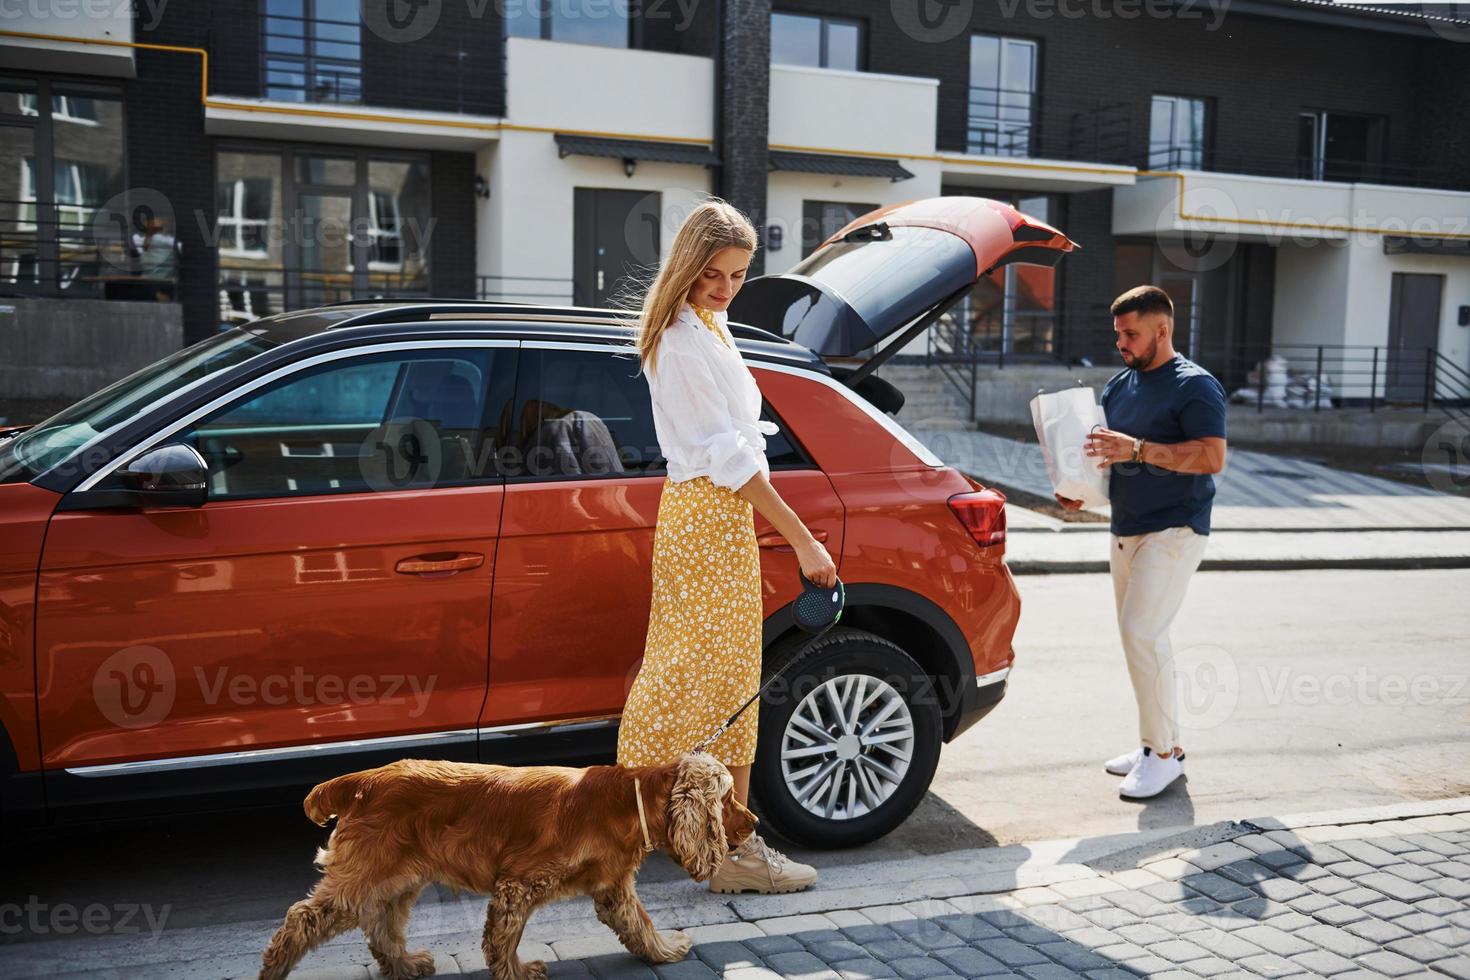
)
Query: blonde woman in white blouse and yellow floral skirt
[{"x": 703, "y": 653}]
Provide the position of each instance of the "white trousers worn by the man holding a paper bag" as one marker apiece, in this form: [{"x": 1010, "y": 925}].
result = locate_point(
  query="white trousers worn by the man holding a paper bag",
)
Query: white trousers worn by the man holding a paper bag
[{"x": 1150, "y": 577}]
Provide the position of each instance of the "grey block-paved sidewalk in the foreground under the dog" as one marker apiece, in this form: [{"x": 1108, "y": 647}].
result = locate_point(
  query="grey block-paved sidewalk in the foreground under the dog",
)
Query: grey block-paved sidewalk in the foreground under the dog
[{"x": 1378, "y": 893}]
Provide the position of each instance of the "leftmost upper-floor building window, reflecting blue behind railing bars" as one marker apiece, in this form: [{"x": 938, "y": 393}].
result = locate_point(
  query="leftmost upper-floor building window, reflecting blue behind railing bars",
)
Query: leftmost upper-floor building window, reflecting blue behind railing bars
[{"x": 312, "y": 51}]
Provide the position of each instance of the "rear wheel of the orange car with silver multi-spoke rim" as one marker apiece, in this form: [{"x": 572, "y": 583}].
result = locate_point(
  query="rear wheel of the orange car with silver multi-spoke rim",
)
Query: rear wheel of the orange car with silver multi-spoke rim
[{"x": 849, "y": 741}]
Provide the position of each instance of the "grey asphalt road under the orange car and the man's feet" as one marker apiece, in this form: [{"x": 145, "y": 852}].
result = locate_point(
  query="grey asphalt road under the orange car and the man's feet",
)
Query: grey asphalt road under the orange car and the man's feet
[{"x": 1309, "y": 691}]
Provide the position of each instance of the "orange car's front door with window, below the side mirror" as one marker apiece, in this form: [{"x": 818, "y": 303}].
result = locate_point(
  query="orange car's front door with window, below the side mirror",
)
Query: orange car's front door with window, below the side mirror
[{"x": 333, "y": 588}]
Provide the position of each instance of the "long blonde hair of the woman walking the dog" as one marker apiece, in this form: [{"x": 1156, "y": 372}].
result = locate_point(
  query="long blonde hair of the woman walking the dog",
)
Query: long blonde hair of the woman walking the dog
[{"x": 709, "y": 228}]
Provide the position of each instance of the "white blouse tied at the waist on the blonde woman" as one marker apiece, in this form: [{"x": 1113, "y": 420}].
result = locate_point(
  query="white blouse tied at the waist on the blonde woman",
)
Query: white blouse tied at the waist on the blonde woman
[{"x": 706, "y": 405}]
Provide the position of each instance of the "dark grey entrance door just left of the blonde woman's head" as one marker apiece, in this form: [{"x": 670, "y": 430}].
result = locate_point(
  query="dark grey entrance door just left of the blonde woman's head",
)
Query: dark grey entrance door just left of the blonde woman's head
[{"x": 617, "y": 242}]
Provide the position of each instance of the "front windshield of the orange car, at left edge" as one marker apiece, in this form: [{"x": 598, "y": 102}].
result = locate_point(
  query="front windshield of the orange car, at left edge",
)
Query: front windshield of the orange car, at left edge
[{"x": 46, "y": 444}]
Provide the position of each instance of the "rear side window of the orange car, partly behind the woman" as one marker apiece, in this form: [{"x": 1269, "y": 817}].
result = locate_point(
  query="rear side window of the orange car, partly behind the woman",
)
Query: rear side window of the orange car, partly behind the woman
[{"x": 589, "y": 414}]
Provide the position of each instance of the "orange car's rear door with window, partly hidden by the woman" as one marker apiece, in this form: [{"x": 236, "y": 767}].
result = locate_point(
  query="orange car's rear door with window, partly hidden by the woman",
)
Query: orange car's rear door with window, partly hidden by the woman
[{"x": 574, "y": 580}]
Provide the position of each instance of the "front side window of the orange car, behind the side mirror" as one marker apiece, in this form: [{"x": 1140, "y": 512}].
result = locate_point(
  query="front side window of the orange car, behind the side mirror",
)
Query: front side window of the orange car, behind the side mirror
[{"x": 379, "y": 422}]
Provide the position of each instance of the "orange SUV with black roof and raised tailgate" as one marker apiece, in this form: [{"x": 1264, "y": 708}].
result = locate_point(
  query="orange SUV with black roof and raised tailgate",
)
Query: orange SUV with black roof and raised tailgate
[{"x": 340, "y": 537}]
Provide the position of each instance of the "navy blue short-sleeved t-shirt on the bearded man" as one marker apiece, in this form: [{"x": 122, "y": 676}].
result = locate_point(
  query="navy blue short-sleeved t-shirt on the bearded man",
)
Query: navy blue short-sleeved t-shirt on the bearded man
[{"x": 1172, "y": 403}]
